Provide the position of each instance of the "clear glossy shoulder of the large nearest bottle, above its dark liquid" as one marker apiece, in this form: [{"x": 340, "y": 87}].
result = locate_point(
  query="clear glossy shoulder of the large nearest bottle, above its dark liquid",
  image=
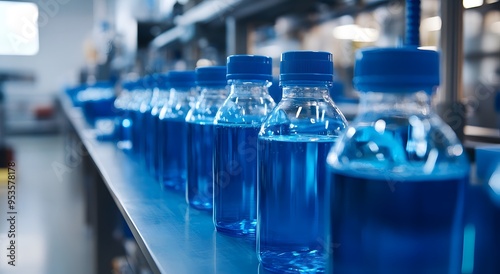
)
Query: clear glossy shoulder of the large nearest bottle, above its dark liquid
[{"x": 406, "y": 145}]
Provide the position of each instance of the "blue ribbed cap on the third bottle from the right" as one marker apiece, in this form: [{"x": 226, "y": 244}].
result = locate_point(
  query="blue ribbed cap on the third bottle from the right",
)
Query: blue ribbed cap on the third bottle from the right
[{"x": 249, "y": 67}]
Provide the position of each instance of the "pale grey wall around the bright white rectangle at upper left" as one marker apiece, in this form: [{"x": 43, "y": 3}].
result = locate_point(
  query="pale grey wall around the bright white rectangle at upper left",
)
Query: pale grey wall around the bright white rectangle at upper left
[{"x": 64, "y": 25}]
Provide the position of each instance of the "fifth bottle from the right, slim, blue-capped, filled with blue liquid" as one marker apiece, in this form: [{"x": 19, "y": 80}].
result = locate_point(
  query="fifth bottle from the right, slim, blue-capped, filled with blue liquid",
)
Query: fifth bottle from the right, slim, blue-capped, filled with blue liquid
[{"x": 172, "y": 130}]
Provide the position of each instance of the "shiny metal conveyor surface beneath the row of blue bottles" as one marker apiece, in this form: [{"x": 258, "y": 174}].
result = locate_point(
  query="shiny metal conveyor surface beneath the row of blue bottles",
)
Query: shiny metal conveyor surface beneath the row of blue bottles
[{"x": 173, "y": 237}]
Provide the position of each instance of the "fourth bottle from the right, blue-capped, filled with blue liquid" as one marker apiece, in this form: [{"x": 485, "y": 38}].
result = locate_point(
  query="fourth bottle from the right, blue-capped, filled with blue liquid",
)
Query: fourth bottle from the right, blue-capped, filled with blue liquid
[{"x": 213, "y": 85}]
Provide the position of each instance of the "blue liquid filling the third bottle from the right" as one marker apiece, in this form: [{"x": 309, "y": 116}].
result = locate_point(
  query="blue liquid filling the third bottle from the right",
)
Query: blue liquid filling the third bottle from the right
[{"x": 235, "y": 173}]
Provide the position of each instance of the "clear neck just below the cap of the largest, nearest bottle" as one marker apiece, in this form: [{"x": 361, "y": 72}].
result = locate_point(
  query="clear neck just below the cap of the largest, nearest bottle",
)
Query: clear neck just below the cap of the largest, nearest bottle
[{"x": 415, "y": 103}]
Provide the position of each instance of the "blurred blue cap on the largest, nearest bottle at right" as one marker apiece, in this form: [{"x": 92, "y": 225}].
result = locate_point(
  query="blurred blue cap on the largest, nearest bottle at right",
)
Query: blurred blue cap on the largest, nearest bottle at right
[{"x": 391, "y": 70}]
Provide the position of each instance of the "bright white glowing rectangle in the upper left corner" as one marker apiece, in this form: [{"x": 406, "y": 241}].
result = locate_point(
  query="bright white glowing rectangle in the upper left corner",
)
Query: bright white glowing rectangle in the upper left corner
[{"x": 18, "y": 28}]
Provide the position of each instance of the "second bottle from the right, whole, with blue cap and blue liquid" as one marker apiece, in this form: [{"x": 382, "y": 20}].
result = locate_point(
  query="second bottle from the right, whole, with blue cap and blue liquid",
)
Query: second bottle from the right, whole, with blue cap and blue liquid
[{"x": 293, "y": 145}]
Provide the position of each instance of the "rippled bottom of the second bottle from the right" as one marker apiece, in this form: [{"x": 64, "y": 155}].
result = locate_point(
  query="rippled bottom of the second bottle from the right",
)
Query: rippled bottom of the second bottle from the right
[{"x": 293, "y": 261}]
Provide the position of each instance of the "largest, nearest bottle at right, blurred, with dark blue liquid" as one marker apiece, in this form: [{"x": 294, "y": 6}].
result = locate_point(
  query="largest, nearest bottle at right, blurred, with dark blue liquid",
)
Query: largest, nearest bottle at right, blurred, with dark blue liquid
[{"x": 398, "y": 174}]
